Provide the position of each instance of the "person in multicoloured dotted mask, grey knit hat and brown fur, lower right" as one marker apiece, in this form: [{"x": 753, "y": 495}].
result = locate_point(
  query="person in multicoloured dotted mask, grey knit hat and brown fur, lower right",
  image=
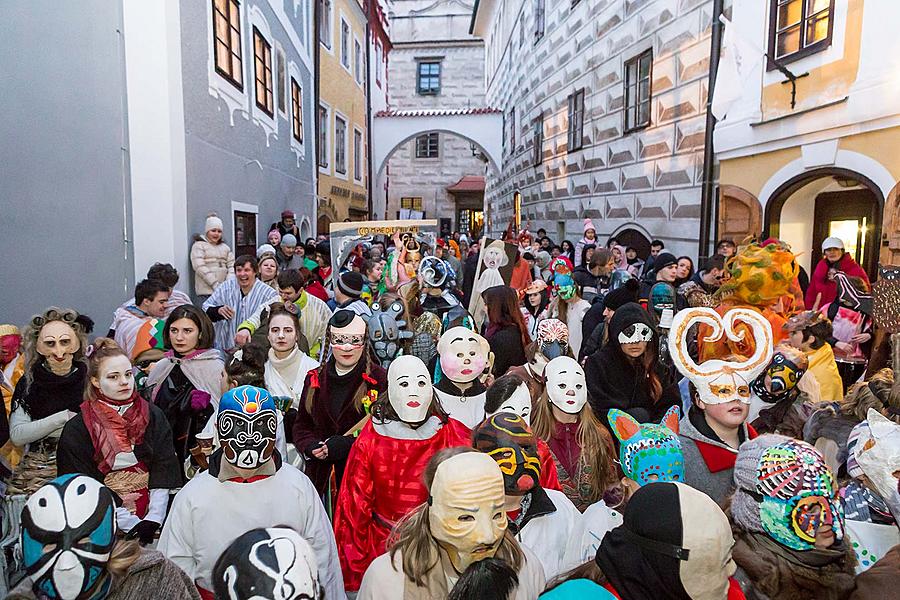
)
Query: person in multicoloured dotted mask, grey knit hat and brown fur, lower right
[{"x": 788, "y": 523}]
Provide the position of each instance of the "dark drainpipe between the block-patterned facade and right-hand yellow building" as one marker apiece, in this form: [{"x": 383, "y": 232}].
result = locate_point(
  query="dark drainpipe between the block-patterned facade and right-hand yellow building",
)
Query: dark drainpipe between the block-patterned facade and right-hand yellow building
[{"x": 708, "y": 190}]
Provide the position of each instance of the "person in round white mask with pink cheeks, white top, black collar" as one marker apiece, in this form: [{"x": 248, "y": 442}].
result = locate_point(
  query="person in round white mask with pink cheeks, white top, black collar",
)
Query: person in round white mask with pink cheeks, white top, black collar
[{"x": 464, "y": 356}]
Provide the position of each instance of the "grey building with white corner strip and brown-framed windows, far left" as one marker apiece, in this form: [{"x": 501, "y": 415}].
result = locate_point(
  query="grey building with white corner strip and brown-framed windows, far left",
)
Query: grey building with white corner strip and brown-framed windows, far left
[{"x": 141, "y": 118}]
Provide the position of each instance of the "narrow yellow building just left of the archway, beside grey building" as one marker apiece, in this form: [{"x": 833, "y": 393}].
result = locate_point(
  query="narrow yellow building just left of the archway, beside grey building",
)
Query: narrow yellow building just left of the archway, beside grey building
[{"x": 342, "y": 135}]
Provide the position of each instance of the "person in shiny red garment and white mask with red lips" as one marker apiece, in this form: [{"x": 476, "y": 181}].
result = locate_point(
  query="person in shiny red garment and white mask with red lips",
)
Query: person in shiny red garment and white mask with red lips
[{"x": 383, "y": 477}]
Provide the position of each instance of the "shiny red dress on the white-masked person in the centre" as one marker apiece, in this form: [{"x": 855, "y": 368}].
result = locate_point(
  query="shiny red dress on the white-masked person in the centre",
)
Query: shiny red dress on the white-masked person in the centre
[{"x": 382, "y": 483}]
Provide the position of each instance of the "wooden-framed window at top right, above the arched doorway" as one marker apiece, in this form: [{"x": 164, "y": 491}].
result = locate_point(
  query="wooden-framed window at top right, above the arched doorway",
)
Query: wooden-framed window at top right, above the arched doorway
[{"x": 798, "y": 28}]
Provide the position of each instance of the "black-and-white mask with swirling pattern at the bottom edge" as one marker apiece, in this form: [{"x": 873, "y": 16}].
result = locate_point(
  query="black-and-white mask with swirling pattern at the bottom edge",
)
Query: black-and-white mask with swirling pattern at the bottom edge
[{"x": 268, "y": 564}]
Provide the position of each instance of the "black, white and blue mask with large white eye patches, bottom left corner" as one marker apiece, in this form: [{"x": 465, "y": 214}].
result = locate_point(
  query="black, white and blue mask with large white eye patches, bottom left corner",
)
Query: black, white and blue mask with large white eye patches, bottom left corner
[{"x": 68, "y": 533}]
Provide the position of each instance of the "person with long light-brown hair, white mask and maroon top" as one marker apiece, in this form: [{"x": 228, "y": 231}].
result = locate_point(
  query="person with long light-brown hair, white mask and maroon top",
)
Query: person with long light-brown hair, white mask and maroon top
[{"x": 582, "y": 447}]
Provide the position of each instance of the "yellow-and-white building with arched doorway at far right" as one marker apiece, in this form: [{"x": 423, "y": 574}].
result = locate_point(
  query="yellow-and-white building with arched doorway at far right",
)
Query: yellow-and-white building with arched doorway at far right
[{"x": 815, "y": 154}]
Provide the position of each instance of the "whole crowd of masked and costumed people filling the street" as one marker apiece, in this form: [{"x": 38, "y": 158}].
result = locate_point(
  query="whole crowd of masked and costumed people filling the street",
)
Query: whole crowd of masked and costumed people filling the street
[{"x": 443, "y": 417}]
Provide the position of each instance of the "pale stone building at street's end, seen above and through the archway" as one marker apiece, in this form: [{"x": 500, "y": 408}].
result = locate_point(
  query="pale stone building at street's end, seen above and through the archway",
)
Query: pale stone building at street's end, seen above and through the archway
[{"x": 435, "y": 66}]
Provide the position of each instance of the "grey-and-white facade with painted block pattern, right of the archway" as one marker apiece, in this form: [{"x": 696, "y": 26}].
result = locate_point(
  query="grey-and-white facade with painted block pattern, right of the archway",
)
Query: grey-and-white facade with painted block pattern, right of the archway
[{"x": 604, "y": 116}]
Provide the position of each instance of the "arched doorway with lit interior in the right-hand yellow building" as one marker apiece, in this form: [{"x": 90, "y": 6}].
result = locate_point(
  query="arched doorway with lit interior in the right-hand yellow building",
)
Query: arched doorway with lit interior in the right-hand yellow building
[{"x": 828, "y": 202}]
